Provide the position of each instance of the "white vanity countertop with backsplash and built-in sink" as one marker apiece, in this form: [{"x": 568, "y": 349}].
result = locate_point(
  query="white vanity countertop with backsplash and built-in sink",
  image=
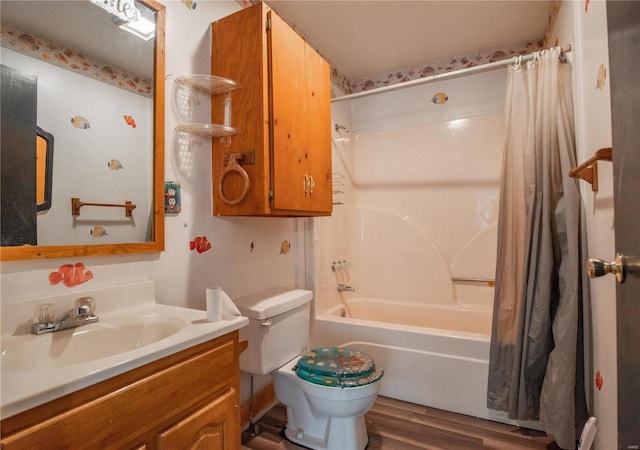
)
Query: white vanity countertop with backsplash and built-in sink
[{"x": 28, "y": 380}]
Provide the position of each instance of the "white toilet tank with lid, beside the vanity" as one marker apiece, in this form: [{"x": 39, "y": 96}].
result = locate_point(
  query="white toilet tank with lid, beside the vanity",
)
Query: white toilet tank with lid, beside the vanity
[{"x": 278, "y": 329}]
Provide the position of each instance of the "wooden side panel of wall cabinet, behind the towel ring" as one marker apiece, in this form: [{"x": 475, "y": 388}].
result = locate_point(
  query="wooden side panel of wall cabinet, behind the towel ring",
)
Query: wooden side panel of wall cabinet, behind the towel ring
[{"x": 239, "y": 52}]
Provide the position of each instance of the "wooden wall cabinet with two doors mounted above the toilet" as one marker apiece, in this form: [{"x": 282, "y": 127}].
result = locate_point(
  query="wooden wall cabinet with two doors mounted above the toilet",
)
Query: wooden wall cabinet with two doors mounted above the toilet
[{"x": 283, "y": 112}]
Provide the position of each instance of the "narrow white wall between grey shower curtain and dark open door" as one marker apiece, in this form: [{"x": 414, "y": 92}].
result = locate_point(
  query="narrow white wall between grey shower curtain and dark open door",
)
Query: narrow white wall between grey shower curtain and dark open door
[{"x": 585, "y": 27}]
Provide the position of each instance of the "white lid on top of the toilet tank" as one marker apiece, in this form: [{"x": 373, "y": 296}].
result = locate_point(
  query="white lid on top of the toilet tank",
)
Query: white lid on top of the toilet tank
[{"x": 269, "y": 303}]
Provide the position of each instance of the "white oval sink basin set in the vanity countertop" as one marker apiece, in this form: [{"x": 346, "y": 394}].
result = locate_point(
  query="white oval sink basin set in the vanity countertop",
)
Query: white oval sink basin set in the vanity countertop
[{"x": 85, "y": 343}]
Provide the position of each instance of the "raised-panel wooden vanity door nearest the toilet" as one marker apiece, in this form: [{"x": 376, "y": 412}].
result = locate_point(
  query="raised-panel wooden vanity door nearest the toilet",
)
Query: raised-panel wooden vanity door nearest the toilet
[{"x": 213, "y": 427}]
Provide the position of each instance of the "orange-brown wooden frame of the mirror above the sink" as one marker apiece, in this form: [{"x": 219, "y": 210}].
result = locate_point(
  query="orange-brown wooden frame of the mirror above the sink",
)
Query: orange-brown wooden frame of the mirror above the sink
[{"x": 157, "y": 244}]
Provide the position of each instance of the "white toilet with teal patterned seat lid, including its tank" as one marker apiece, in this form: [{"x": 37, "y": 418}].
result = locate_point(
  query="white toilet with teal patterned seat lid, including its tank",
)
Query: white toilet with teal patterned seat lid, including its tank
[{"x": 327, "y": 391}]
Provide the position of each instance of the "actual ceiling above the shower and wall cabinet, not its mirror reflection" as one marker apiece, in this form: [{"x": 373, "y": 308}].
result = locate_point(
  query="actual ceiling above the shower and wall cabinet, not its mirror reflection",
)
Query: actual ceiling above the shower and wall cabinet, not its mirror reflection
[{"x": 365, "y": 38}]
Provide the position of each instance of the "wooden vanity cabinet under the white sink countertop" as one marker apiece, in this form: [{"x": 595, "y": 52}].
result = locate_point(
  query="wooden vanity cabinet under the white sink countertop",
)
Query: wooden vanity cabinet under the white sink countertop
[{"x": 188, "y": 400}]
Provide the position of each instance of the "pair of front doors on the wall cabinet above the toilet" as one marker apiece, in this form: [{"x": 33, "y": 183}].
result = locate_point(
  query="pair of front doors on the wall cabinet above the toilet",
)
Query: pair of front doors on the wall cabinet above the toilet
[{"x": 300, "y": 117}]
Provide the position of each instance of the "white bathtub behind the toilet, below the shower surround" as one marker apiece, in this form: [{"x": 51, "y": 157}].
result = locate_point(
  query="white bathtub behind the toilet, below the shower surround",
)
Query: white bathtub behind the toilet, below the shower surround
[{"x": 433, "y": 355}]
